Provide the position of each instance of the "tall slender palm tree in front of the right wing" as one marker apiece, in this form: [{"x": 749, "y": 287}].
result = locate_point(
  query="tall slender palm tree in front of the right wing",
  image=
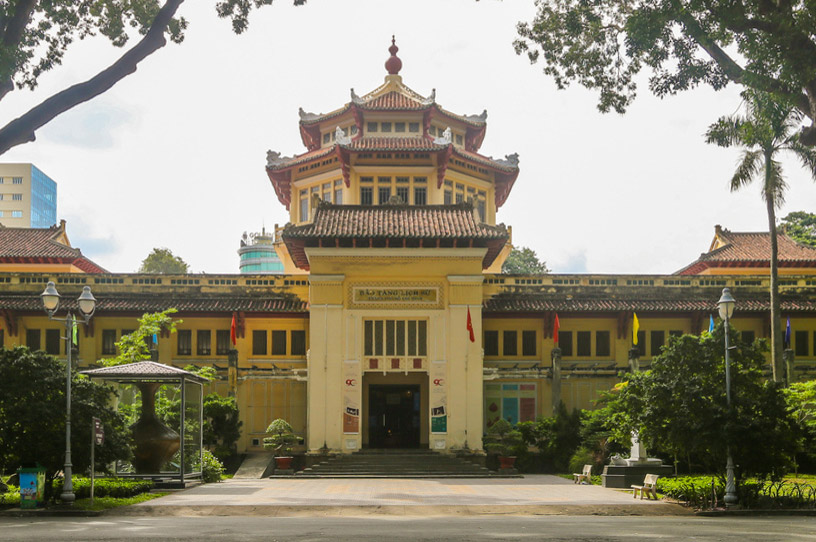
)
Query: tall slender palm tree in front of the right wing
[{"x": 769, "y": 128}]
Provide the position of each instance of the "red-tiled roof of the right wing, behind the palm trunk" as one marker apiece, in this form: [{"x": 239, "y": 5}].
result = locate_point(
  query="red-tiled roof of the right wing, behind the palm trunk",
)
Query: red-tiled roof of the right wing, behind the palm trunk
[{"x": 749, "y": 249}]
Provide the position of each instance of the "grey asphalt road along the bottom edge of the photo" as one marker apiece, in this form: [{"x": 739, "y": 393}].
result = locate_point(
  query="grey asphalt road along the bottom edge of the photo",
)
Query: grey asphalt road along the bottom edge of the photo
[{"x": 391, "y": 528}]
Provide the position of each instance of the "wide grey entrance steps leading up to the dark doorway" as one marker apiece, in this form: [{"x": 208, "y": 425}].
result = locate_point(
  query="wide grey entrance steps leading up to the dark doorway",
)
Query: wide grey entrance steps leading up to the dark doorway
[{"x": 396, "y": 464}]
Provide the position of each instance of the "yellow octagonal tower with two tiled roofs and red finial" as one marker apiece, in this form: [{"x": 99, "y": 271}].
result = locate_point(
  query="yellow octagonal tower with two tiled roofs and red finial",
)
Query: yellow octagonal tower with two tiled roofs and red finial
[{"x": 392, "y": 143}]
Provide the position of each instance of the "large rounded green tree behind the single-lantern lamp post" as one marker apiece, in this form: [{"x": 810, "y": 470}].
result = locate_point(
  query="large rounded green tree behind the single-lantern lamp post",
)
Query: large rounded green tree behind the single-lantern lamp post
[{"x": 679, "y": 407}]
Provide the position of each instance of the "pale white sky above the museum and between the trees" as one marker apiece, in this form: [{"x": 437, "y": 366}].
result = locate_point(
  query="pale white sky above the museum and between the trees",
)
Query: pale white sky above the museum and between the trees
[{"x": 173, "y": 156}]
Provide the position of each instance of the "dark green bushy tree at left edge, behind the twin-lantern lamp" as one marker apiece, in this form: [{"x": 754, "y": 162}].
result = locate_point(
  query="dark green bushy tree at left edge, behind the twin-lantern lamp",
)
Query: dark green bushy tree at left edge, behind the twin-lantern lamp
[{"x": 32, "y": 415}]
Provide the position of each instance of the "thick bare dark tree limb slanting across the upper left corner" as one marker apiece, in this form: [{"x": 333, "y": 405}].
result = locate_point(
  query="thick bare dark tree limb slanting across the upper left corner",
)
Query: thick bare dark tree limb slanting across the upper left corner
[{"x": 22, "y": 129}]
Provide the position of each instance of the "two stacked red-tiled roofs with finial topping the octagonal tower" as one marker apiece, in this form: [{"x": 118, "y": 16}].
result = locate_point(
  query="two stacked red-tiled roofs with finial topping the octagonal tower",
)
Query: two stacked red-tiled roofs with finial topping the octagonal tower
[{"x": 391, "y": 96}]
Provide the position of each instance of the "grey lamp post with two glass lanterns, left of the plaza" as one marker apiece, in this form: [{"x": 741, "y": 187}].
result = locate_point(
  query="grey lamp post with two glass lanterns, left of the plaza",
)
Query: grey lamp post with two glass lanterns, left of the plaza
[{"x": 87, "y": 304}]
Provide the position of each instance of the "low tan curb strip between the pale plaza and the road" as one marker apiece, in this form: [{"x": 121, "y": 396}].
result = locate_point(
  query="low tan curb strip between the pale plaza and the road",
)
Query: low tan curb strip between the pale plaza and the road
[{"x": 400, "y": 510}]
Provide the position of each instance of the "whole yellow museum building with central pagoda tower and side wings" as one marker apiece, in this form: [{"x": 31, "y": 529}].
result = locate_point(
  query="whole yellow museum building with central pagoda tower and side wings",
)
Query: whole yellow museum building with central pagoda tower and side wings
[{"x": 391, "y": 325}]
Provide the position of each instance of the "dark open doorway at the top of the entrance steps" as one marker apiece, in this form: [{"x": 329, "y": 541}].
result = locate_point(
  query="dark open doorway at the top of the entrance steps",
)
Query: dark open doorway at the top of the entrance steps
[{"x": 393, "y": 416}]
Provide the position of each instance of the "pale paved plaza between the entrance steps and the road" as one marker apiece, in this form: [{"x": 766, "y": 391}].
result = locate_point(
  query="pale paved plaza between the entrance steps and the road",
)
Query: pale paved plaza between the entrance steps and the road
[{"x": 533, "y": 494}]
